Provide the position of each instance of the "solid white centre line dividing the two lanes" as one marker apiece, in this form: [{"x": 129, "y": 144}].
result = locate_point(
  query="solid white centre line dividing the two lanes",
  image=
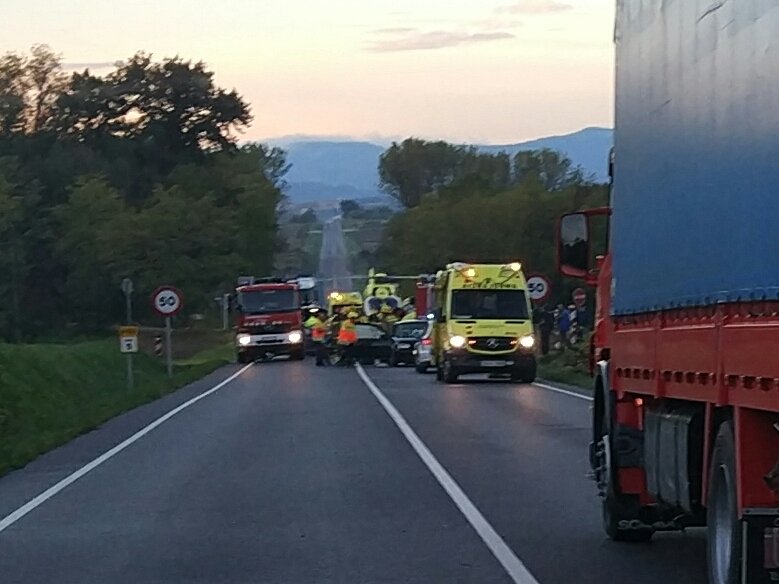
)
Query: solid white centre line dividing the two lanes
[{"x": 502, "y": 552}]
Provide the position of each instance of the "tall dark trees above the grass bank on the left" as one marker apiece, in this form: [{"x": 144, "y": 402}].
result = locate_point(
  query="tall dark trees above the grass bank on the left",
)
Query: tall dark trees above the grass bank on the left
[{"x": 136, "y": 173}]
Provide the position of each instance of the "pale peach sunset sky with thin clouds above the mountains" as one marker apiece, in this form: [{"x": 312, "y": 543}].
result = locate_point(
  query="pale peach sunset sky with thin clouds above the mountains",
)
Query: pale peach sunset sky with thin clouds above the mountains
[{"x": 487, "y": 71}]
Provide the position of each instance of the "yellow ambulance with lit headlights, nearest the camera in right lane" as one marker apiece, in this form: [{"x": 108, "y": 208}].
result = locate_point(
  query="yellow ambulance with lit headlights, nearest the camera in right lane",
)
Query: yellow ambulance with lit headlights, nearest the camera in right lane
[{"x": 483, "y": 322}]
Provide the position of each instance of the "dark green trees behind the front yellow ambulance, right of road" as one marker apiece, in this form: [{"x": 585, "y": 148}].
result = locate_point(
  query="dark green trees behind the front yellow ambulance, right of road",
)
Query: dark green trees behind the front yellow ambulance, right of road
[{"x": 460, "y": 204}]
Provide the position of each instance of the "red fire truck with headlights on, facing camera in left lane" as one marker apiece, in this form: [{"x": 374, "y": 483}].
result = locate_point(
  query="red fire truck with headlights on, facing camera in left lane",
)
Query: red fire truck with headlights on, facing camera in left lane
[{"x": 268, "y": 319}]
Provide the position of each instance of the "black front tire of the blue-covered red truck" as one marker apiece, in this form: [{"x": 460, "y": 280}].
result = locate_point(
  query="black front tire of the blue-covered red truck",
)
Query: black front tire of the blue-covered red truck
[{"x": 619, "y": 523}]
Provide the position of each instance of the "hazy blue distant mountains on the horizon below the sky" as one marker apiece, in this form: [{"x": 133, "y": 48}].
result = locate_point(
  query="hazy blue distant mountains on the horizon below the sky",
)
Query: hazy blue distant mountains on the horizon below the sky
[{"x": 326, "y": 169}]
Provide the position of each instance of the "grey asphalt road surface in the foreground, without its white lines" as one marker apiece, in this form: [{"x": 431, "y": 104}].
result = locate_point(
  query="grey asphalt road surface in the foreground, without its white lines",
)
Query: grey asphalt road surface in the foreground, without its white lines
[{"x": 294, "y": 474}]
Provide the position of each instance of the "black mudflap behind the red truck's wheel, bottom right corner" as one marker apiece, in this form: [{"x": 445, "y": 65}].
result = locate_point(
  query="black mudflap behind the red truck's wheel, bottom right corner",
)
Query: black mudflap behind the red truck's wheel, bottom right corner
[{"x": 760, "y": 536}]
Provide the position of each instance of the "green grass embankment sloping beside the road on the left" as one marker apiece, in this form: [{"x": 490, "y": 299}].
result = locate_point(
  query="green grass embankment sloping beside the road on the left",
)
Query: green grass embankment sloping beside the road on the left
[{"x": 51, "y": 393}]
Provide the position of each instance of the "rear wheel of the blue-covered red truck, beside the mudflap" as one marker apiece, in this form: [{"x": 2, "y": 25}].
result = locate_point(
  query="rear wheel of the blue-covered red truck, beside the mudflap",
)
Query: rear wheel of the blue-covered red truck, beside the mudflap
[{"x": 724, "y": 543}]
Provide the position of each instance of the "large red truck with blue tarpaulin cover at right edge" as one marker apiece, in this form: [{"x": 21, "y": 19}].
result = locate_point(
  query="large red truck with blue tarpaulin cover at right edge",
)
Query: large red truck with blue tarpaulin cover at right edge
[{"x": 685, "y": 418}]
